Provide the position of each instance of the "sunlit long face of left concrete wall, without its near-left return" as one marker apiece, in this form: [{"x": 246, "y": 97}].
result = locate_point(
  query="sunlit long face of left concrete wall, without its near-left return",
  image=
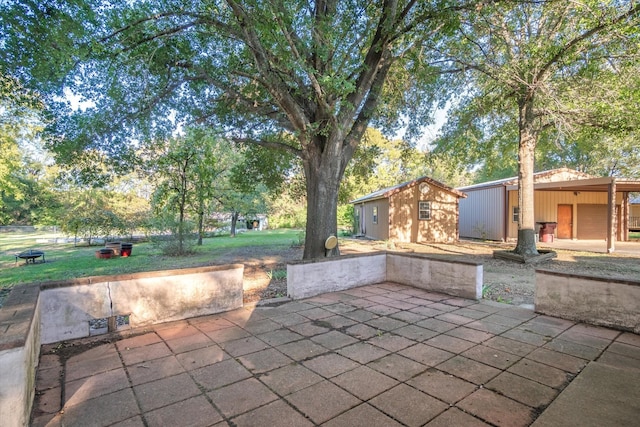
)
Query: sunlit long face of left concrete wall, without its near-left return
[{"x": 147, "y": 298}]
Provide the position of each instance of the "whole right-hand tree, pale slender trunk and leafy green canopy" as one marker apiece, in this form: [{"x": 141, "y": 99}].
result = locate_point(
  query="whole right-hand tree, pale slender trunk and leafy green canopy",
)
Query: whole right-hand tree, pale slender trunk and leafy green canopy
[{"x": 533, "y": 70}]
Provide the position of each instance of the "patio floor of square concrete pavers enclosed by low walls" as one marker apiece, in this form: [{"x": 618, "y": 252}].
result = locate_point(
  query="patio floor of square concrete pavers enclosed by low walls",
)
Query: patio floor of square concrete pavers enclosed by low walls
[{"x": 379, "y": 355}]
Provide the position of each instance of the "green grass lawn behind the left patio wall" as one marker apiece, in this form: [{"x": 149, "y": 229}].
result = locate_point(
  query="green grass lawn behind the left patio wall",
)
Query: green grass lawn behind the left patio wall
[{"x": 65, "y": 261}]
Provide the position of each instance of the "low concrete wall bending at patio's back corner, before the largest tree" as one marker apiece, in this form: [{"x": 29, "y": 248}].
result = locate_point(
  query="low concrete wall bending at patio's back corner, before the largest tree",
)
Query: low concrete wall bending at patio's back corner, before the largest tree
[{"x": 459, "y": 278}]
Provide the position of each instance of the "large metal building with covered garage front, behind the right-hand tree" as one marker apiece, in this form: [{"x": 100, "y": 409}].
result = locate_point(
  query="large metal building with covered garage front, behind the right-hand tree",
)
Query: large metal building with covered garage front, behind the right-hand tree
[{"x": 584, "y": 207}]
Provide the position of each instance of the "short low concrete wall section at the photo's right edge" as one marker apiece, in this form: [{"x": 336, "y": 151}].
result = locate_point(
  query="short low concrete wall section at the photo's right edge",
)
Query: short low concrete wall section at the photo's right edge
[{"x": 600, "y": 301}]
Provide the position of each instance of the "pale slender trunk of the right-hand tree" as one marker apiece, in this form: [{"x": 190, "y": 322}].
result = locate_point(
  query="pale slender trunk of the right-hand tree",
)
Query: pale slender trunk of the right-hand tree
[{"x": 526, "y": 245}]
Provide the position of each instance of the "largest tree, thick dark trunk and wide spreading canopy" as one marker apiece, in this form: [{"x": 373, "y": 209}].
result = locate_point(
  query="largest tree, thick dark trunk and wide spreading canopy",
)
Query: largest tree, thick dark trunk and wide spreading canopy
[{"x": 320, "y": 71}]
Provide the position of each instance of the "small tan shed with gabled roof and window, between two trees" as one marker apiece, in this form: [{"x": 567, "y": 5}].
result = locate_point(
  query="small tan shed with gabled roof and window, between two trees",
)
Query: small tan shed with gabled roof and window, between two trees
[{"x": 422, "y": 210}]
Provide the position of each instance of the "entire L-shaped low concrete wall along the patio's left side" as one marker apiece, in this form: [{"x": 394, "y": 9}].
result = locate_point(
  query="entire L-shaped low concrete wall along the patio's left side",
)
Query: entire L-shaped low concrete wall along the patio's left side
[{"x": 51, "y": 312}]
